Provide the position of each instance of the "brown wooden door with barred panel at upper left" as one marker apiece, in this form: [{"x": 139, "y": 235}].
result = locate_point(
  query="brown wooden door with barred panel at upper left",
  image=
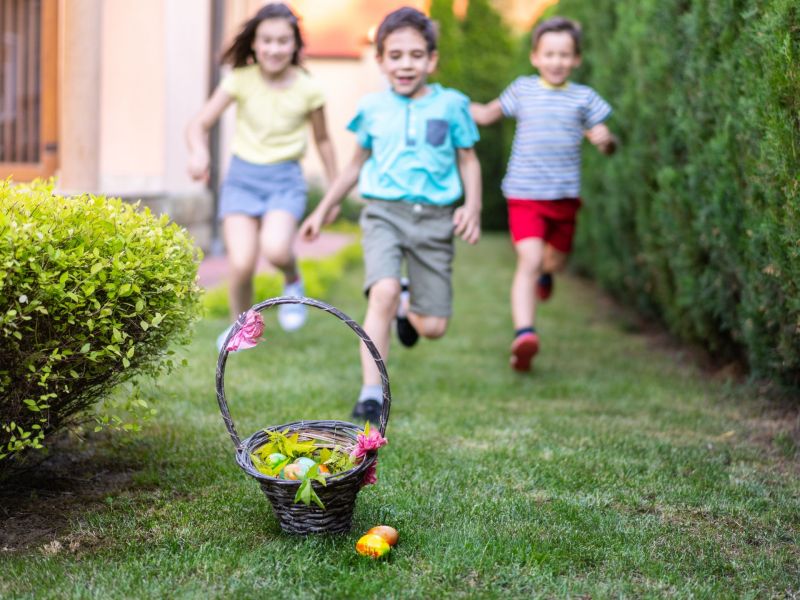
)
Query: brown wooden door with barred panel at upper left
[{"x": 28, "y": 88}]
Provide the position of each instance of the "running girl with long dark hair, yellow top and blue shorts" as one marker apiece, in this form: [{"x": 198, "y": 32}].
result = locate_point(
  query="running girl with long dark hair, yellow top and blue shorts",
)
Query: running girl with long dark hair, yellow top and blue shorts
[{"x": 264, "y": 195}]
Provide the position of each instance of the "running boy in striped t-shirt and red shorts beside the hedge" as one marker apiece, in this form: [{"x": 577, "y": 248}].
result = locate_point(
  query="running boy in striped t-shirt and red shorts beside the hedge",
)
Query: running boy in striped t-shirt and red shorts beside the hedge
[{"x": 542, "y": 182}]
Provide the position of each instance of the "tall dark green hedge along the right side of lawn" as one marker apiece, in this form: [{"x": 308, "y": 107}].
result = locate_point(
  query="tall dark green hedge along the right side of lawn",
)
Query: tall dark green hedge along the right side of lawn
[{"x": 697, "y": 219}]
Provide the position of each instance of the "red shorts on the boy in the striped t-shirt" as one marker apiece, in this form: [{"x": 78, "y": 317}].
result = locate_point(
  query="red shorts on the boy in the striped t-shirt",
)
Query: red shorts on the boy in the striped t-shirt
[{"x": 550, "y": 220}]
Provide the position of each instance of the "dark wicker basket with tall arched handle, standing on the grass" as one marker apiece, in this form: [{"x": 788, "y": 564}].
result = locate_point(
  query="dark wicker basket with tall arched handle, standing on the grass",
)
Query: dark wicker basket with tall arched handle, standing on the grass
[{"x": 339, "y": 495}]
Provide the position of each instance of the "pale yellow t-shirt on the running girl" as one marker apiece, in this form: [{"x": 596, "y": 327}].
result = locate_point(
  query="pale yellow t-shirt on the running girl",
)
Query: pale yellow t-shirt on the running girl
[{"x": 271, "y": 122}]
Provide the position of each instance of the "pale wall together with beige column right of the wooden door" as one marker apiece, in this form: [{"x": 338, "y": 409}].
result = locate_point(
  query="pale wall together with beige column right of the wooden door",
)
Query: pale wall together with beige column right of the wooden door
[{"x": 131, "y": 74}]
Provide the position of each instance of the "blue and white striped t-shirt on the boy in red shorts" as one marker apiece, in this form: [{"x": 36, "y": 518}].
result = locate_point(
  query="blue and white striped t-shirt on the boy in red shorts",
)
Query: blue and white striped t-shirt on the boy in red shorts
[{"x": 545, "y": 161}]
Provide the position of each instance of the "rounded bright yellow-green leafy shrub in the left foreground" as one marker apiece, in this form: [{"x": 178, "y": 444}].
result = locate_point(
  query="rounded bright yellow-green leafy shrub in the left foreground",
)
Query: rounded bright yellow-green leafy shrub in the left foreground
[{"x": 92, "y": 293}]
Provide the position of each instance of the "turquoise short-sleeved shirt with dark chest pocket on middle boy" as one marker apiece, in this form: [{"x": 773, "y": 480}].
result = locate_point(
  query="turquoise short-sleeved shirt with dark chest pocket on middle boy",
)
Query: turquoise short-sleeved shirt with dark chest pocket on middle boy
[{"x": 413, "y": 144}]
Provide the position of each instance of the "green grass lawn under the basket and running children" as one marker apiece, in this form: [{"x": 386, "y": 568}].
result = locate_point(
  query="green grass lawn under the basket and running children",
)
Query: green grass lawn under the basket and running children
[{"x": 618, "y": 469}]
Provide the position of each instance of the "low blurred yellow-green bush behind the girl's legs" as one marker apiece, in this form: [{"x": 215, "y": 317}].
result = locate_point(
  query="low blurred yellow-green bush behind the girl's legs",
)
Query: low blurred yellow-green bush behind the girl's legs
[{"x": 318, "y": 275}]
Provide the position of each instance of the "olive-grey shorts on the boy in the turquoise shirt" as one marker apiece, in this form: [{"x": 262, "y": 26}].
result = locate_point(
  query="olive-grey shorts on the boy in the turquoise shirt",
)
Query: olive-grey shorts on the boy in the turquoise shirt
[{"x": 420, "y": 234}]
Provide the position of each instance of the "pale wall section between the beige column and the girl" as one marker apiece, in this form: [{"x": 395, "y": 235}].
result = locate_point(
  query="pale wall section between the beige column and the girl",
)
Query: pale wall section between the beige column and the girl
[{"x": 154, "y": 74}]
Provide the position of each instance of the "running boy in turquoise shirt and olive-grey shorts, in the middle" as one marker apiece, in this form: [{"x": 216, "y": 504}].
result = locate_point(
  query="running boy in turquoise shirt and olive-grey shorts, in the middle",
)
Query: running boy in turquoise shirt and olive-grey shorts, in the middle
[{"x": 415, "y": 148}]
